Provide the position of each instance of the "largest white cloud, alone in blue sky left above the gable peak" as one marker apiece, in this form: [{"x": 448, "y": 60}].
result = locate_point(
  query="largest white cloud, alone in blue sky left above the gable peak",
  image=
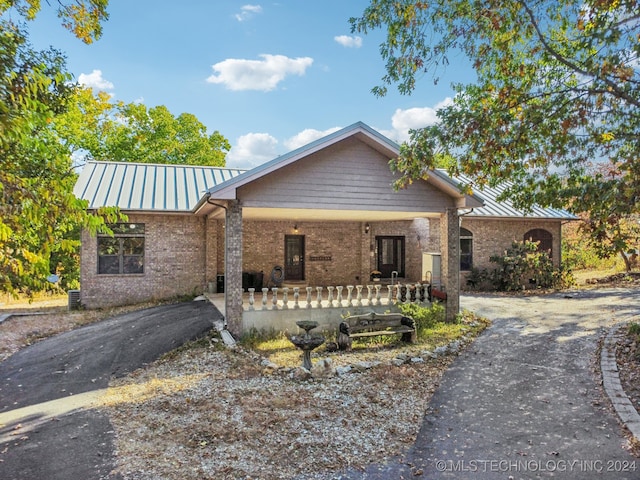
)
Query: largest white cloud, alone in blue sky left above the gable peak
[{"x": 264, "y": 75}]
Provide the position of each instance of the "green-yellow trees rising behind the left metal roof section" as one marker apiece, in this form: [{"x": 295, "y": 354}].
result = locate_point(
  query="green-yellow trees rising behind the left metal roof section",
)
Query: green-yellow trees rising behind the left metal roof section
[{"x": 102, "y": 130}]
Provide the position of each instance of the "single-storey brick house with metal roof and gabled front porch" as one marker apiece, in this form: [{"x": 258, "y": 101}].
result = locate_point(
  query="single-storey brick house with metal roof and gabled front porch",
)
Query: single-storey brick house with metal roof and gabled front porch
[{"x": 324, "y": 214}]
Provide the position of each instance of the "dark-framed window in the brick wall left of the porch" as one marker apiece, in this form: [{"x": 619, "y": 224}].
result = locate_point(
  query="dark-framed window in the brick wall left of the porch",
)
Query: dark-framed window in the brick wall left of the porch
[{"x": 124, "y": 252}]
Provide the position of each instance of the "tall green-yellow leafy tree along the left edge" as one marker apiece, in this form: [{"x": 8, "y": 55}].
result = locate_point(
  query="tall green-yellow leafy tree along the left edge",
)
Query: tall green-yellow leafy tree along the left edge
[{"x": 37, "y": 206}]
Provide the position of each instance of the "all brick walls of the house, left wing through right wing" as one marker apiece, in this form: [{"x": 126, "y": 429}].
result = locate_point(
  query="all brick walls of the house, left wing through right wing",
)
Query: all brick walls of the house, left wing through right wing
[{"x": 183, "y": 253}]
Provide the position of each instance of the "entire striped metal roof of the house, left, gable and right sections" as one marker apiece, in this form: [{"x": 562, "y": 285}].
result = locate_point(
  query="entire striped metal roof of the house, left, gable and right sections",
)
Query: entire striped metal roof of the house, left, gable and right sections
[{"x": 182, "y": 188}]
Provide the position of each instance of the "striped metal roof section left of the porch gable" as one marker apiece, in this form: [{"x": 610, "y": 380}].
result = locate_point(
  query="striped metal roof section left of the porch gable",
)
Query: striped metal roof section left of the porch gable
[{"x": 146, "y": 186}]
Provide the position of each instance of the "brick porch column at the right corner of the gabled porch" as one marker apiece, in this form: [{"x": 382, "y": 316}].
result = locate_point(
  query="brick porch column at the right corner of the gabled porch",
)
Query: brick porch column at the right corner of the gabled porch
[{"x": 450, "y": 241}]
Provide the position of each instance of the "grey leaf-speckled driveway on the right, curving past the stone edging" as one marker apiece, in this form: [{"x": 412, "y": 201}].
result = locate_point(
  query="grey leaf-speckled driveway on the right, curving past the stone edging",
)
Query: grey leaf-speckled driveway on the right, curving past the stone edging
[{"x": 524, "y": 401}]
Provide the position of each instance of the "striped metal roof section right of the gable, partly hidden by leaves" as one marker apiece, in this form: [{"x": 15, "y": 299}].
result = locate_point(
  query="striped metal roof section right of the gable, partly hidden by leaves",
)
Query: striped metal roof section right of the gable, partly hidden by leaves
[{"x": 505, "y": 209}]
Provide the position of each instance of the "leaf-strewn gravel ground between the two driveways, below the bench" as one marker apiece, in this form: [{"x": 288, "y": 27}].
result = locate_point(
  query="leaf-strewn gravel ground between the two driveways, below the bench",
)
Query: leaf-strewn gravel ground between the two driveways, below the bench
[{"x": 235, "y": 416}]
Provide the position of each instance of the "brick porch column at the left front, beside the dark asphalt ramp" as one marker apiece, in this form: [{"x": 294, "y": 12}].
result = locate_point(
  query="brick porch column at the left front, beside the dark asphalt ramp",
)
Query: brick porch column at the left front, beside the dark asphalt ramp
[{"x": 233, "y": 268}]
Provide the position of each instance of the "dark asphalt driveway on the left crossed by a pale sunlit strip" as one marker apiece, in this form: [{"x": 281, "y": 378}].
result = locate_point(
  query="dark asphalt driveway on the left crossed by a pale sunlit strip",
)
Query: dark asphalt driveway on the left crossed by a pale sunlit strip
[{"x": 45, "y": 434}]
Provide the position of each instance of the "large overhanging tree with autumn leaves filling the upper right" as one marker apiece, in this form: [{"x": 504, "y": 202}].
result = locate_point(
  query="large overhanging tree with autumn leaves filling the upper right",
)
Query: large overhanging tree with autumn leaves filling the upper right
[{"x": 557, "y": 93}]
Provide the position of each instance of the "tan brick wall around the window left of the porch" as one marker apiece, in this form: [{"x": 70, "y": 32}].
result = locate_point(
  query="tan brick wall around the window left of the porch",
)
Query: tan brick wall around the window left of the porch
[{"x": 174, "y": 263}]
